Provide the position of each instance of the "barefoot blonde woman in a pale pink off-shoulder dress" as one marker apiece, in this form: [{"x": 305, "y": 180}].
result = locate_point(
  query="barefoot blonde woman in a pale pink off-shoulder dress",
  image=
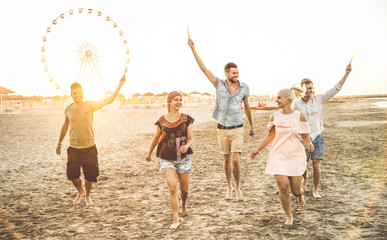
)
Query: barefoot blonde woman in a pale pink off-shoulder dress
[{"x": 287, "y": 155}]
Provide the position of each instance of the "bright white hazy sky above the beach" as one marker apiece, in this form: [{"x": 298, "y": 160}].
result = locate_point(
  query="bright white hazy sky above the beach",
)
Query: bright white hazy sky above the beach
[{"x": 274, "y": 43}]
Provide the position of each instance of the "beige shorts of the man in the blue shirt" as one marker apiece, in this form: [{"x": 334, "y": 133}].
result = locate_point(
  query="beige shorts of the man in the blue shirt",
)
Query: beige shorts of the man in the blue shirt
[{"x": 230, "y": 140}]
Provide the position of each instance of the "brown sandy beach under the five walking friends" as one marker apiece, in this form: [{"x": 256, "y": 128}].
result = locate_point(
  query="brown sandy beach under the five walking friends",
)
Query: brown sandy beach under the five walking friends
[{"x": 131, "y": 196}]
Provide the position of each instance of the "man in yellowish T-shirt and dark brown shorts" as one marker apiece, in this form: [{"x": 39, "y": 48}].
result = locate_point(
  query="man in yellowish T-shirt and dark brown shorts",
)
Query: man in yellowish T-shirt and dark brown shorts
[{"x": 82, "y": 151}]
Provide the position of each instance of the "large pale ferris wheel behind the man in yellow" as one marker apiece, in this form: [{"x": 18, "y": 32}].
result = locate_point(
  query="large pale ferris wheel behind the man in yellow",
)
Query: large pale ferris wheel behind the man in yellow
[{"x": 85, "y": 46}]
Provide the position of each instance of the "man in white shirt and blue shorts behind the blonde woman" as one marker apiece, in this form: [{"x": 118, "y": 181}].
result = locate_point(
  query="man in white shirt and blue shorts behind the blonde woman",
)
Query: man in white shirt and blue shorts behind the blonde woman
[{"x": 311, "y": 106}]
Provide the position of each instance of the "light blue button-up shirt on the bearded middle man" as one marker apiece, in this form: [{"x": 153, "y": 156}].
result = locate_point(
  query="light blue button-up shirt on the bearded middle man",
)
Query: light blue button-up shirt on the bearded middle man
[{"x": 228, "y": 109}]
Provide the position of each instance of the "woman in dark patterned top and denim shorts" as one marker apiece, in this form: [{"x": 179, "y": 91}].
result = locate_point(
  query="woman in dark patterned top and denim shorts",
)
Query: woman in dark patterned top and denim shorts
[{"x": 174, "y": 137}]
